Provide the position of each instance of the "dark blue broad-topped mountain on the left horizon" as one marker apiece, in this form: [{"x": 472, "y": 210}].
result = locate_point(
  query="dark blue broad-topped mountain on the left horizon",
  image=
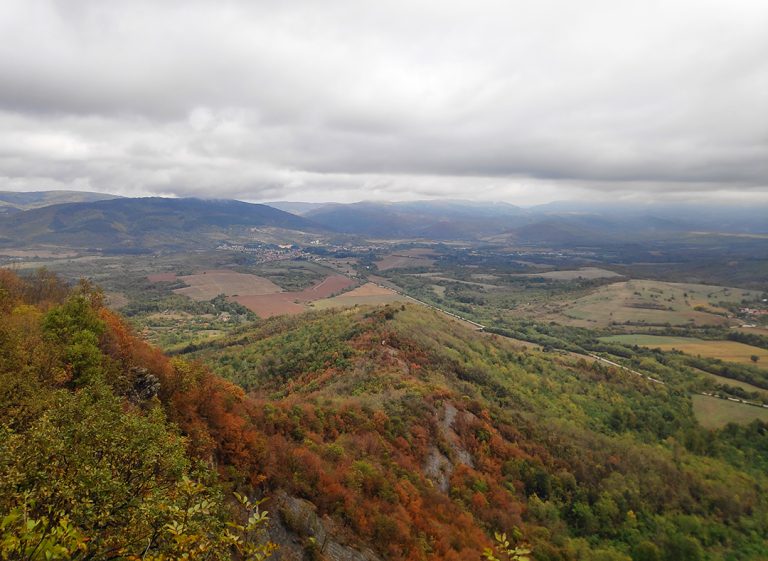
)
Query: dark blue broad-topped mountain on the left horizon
[{"x": 142, "y": 222}]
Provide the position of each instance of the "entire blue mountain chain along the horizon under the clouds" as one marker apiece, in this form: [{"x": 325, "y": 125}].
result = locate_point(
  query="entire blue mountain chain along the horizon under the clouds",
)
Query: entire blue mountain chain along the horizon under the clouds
[{"x": 102, "y": 220}]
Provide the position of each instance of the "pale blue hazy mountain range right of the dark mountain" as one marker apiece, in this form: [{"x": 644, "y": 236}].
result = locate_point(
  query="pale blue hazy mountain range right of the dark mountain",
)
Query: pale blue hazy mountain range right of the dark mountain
[{"x": 562, "y": 222}]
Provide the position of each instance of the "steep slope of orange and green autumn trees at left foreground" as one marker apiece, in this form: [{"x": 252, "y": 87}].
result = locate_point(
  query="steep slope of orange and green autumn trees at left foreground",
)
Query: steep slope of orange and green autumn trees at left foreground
[{"x": 93, "y": 464}]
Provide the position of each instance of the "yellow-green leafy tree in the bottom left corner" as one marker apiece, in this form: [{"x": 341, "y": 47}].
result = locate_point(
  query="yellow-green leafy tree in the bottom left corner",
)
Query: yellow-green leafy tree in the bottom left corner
[{"x": 89, "y": 480}]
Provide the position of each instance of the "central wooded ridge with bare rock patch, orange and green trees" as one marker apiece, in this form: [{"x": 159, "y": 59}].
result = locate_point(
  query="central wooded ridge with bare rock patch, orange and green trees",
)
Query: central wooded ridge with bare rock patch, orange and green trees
[{"x": 420, "y": 437}]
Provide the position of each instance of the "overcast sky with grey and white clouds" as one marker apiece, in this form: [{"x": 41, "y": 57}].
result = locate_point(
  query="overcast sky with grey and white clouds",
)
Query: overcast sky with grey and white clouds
[{"x": 517, "y": 101}]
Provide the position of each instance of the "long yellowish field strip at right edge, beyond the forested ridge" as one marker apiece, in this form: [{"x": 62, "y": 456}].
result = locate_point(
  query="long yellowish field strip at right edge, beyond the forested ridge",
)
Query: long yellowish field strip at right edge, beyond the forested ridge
[{"x": 730, "y": 351}]
